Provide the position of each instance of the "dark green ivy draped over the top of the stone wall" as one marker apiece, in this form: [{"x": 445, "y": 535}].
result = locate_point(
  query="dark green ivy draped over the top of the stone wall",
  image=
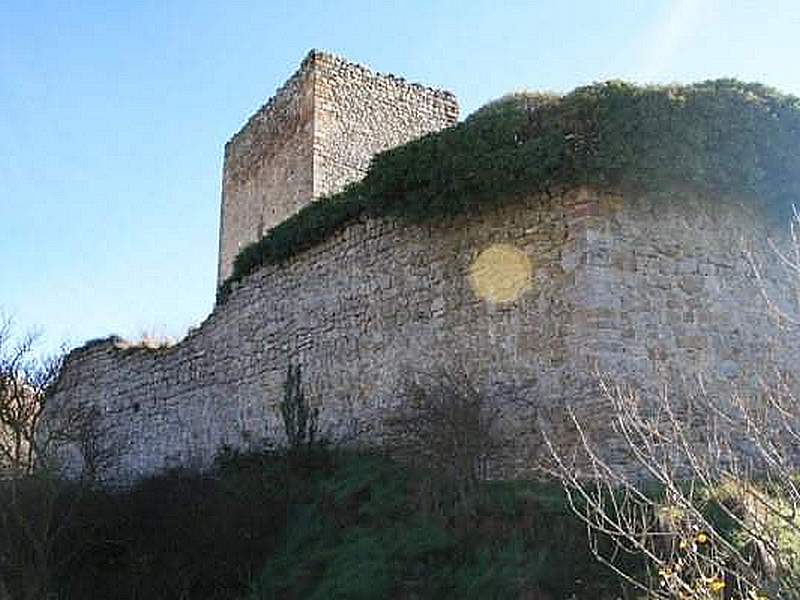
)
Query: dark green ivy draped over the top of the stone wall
[{"x": 723, "y": 136}]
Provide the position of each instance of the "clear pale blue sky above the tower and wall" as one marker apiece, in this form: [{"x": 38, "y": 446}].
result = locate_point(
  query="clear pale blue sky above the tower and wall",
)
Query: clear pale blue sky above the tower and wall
[{"x": 113, "y": 117}]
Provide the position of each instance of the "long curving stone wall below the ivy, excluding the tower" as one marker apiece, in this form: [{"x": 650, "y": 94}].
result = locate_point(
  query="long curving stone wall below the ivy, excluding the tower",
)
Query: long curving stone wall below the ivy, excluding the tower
[{"x": 648, "y": 290}]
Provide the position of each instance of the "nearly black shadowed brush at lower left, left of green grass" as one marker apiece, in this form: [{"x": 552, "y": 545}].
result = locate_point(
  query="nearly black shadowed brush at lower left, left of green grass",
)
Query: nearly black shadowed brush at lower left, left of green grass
[{"x": 178, "y": 535}]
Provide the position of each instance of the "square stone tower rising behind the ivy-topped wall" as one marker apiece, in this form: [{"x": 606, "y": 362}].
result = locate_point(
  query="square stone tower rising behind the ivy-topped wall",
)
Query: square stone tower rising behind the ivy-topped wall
[{"x": 317, "y": 134}]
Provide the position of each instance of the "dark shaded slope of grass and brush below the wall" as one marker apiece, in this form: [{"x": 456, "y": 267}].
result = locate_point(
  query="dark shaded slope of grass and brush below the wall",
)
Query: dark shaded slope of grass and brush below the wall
[{"x": 325, "y": 526}]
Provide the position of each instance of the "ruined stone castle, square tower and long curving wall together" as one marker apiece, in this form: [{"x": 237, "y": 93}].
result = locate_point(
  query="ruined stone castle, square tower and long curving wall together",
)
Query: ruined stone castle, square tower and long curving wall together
[{"x": 534, "y": 297}]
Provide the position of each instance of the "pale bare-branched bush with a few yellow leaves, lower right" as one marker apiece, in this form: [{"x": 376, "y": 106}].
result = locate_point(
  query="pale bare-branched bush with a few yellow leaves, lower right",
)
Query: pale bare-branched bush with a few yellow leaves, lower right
[{"x": 707, "y": 492}]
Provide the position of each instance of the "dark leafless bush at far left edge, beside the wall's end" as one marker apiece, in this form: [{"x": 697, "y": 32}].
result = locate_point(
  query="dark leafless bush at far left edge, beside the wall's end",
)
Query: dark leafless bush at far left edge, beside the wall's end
[{"x": 34, "y": 510}]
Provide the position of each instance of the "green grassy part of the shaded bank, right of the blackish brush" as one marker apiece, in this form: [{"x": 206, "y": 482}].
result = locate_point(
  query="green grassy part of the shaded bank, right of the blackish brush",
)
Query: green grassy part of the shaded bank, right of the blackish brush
[{"x": 358, "y": 533}]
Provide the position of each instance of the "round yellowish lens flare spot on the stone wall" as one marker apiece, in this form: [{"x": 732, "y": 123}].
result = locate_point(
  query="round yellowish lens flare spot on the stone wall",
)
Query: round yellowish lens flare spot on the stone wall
[{"x": 501, "y": 273}]
